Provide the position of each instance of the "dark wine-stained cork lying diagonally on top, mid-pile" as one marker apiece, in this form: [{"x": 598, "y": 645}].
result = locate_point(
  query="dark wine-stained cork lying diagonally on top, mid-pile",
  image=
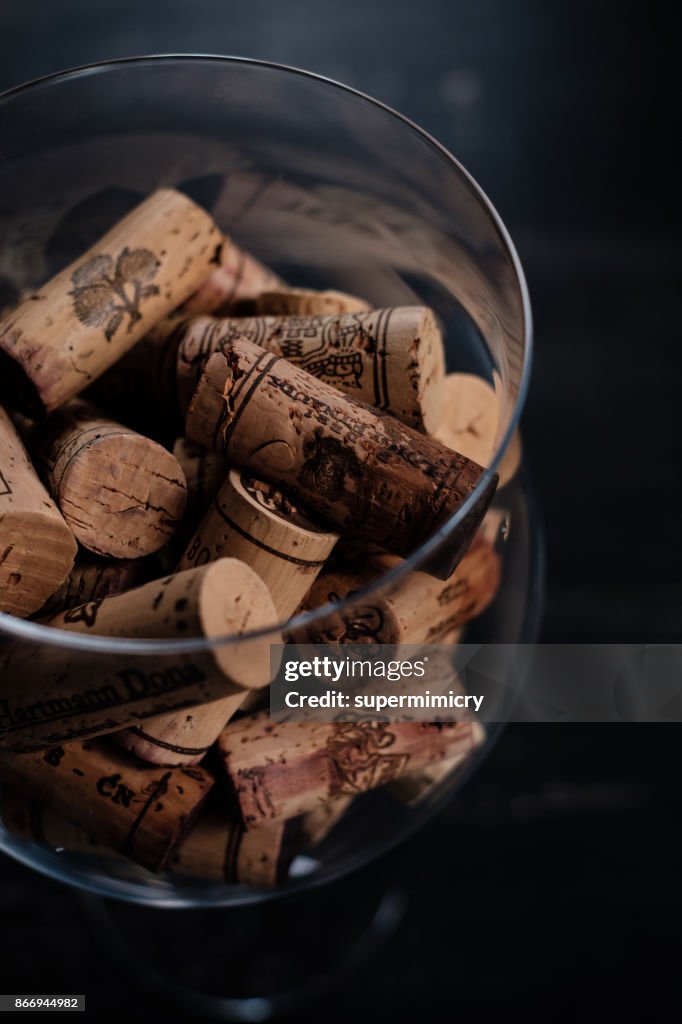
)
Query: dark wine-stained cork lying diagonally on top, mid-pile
[{"x": 356, "y": 467}]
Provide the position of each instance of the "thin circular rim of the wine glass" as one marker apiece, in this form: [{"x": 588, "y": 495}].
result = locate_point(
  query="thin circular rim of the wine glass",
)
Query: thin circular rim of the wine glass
[{"x": 35, "y": 632}]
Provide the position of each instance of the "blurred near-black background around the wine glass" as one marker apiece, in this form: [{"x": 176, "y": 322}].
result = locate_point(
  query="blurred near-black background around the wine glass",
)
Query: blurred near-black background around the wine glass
[{"x": 559, "y": 867}]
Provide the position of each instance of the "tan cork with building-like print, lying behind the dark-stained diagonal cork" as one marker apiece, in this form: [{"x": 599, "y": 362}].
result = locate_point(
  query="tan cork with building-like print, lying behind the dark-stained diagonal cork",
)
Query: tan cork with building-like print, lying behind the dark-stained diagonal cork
[{"x": 391, "y": 359}]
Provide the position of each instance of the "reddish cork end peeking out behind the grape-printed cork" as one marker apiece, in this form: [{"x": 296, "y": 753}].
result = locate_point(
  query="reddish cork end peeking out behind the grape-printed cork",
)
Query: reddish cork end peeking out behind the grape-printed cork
[{"x": 239, "y": 280}]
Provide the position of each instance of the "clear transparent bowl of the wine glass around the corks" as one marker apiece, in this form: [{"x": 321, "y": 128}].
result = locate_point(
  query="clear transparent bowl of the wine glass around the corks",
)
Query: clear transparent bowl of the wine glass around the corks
[{"x": 332, "y": 190}]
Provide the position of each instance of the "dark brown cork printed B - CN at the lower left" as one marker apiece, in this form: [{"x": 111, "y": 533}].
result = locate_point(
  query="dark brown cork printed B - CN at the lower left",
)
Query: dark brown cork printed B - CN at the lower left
[{"x": 140, "y": 812}]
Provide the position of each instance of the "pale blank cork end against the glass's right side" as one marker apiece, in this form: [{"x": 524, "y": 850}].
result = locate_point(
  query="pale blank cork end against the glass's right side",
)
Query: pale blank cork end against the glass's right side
[{"x": 471, "y": 422}]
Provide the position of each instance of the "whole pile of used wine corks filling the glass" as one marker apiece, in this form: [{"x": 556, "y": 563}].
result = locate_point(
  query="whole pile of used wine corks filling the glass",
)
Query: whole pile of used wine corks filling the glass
[{"x": 192, "y": 449}]
